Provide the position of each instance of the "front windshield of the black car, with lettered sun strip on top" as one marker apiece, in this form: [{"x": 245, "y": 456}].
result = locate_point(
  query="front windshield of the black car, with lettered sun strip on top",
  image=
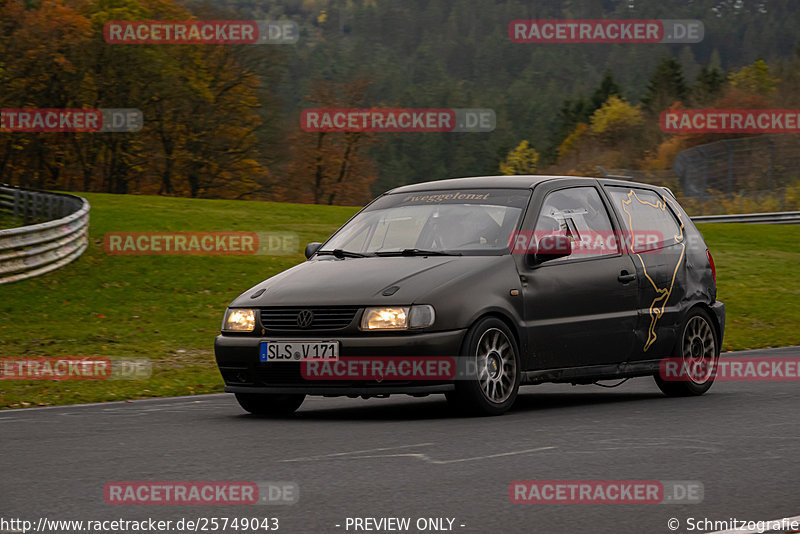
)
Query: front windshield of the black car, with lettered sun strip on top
[{"x": 431, "y": 222}]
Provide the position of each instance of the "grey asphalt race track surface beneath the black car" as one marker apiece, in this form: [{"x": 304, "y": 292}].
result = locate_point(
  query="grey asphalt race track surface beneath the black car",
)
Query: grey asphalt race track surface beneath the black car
[{"x": 404, "y": 457}]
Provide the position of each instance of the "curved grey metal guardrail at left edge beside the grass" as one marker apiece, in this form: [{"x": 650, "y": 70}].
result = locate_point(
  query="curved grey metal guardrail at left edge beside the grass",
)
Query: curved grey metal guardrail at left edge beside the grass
[{"x": 35, "y": 249}]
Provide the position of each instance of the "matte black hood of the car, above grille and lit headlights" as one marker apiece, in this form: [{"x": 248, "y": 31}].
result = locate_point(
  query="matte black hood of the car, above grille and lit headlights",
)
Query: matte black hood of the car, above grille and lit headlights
[{"x": 362, "y": 281}]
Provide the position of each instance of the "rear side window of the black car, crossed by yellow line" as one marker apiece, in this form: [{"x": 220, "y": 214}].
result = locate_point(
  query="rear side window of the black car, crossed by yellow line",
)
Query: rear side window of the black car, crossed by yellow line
[{"x": 648, "y": 217}]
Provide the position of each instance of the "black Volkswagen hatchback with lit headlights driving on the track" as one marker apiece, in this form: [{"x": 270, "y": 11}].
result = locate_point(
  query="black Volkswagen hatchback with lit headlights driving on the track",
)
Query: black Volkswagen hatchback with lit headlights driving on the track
[{"x": 471, "y": 287}]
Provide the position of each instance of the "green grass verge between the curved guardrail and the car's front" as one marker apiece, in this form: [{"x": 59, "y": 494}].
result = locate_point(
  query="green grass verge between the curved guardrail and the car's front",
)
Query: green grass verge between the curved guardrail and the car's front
[{"x": 166, "y": 308}]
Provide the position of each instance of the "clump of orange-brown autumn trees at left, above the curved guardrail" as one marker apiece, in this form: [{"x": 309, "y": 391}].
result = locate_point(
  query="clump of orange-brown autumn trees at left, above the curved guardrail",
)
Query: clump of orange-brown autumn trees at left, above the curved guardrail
[{"x": 201, "y": 105}]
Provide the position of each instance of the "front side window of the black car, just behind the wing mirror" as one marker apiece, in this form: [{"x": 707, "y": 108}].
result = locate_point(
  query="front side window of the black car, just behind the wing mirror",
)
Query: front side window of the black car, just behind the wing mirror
[{"x": 579, "y": 214}]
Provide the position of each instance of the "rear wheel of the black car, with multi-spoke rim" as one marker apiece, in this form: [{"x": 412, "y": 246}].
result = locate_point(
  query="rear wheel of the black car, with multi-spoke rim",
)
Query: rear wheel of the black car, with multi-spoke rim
[{"x": 698, "y": 344}]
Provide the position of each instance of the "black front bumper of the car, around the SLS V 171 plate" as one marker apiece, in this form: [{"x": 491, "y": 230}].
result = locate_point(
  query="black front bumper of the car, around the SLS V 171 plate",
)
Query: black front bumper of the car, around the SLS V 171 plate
[{"x": 237, "y": 358}]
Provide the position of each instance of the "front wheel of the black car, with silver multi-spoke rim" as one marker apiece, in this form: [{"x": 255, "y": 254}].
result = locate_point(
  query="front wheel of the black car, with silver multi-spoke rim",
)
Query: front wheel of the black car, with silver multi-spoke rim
[{"x": 493, "y": 359}]
